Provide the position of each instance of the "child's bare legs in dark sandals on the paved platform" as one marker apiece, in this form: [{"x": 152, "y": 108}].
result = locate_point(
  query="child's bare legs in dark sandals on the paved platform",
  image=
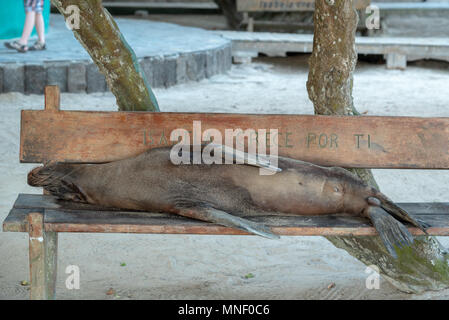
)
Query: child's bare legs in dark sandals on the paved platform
[{"x": 33, "y": 17}]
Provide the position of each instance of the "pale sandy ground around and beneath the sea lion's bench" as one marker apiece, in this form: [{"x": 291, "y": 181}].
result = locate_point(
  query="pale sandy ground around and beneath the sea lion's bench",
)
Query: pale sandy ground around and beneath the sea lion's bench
[{"x": 201, "y": 267}]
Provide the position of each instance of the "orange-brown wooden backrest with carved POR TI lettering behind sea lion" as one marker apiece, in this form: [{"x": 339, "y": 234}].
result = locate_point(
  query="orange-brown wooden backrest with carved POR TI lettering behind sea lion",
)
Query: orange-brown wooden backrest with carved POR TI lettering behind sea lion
[{"x": 346, "y": 141}]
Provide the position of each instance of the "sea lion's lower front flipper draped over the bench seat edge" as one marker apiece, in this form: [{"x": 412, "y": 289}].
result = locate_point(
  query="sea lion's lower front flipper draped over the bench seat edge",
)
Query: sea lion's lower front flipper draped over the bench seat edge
[{"x": 213, "y": 215}]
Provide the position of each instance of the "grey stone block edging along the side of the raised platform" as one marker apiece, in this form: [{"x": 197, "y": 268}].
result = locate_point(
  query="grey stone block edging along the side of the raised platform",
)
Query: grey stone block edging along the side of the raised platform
[{"x": 84, "y": 76}]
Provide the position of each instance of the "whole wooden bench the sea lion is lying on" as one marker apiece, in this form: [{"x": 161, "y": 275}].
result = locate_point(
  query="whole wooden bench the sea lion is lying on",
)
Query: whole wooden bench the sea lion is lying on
[{"x": 94, "y": 137}]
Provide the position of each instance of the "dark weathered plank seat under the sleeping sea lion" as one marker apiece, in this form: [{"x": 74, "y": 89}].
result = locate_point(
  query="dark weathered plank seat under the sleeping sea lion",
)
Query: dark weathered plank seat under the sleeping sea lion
[{"x": 64, "y": 216}]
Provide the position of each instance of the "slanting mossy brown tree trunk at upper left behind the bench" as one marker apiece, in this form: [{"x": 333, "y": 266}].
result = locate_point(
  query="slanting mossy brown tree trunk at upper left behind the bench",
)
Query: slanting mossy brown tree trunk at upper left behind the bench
[{"x": 102, "y": 39}]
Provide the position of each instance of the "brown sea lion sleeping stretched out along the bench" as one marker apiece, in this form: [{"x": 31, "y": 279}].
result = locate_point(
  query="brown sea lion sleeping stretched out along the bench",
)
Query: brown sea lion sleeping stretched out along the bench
[{"x": 225, "y": 194}]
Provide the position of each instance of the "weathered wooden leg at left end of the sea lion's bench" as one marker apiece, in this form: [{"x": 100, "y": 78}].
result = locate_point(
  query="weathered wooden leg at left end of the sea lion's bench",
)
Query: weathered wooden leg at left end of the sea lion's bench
[{"x": 43, "y": 248}]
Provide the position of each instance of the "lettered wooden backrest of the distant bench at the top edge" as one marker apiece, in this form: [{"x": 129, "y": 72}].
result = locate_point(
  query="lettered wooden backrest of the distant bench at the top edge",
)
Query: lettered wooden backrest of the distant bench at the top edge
[{"x": 286, "y": 5}]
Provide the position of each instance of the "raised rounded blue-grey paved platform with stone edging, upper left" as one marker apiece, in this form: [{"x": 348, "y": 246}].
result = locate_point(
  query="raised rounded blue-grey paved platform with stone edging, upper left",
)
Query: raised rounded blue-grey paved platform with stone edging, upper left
[{"x": 168, "y": 53}]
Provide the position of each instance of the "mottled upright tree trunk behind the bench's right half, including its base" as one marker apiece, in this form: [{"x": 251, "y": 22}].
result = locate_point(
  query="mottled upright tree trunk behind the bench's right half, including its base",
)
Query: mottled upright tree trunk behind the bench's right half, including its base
[{"x": 422, "y": 267}]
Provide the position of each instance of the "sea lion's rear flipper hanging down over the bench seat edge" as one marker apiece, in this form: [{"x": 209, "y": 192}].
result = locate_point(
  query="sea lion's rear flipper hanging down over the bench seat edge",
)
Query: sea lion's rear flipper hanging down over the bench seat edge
[{"x": 391, "y": 231}]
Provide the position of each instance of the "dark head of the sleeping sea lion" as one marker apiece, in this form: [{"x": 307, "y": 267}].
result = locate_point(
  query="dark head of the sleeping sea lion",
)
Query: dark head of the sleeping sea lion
[{"x": 58, "y": 180}]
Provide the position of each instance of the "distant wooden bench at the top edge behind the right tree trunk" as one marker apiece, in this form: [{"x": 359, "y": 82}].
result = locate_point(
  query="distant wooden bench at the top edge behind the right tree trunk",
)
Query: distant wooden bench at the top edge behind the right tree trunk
[{"x": 250, "y": 6}]
